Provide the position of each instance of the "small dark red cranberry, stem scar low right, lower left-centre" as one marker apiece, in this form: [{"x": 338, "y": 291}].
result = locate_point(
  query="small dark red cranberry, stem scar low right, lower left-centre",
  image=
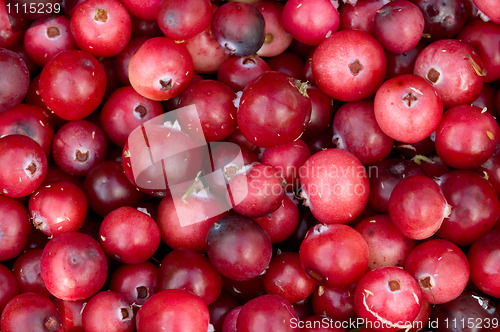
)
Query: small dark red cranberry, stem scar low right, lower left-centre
[{"x": 136, "y": 282}]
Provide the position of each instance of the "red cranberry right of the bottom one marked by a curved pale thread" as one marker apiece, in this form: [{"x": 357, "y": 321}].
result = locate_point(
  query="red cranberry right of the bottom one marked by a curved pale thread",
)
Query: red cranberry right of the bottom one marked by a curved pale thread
[{"x": 441, "y": 269}]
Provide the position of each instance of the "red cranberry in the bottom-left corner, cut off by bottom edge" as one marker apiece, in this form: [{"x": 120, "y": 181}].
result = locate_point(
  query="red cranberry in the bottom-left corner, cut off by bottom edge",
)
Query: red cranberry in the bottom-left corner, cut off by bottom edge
[{"x": 31, "y": 312}]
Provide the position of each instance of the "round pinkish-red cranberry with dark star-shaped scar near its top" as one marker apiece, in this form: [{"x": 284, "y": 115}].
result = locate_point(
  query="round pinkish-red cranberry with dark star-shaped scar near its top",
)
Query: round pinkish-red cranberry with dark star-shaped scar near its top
[{"x": 407, "y": 108}]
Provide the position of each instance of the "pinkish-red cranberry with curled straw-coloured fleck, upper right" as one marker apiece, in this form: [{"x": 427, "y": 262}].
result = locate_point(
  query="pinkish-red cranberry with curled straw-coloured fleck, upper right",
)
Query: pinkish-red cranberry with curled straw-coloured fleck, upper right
[{"x": 453, "y": 68}]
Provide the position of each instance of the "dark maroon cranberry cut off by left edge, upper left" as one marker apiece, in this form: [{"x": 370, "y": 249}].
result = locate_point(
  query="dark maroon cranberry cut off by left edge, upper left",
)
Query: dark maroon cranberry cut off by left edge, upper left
[{"x": 13, "y": 90}]
